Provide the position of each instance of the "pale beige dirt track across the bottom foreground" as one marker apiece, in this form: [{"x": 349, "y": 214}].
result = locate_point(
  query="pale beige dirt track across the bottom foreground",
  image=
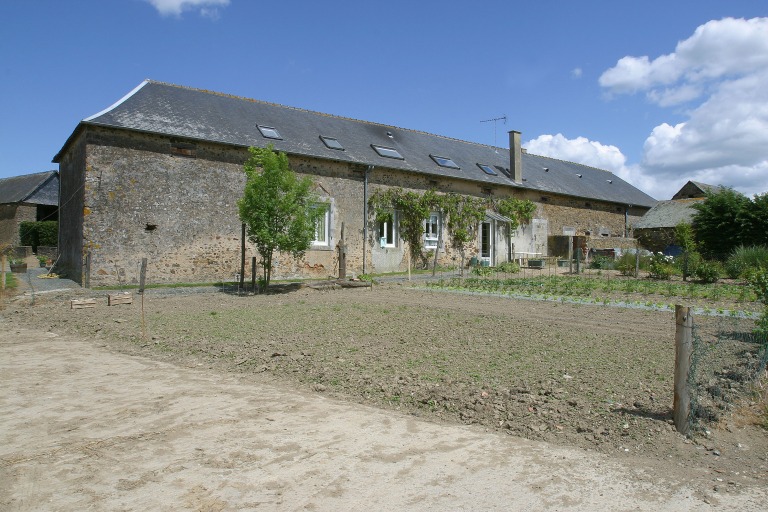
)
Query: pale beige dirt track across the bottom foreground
[{"x": 85, "y": 428}]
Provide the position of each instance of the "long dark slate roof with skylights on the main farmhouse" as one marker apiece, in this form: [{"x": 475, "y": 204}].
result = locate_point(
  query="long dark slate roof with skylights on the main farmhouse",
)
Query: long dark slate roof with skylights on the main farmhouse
[{"x": 160, "y": 108}]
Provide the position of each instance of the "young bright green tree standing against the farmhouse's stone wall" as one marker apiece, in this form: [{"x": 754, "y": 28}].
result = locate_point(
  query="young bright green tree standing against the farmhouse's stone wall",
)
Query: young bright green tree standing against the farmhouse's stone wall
[{"x": 278, "y": 209}]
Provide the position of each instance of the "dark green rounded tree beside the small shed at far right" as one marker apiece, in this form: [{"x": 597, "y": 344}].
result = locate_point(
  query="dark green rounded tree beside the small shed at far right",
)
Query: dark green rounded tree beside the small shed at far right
[{"x": 716, "y": 222}]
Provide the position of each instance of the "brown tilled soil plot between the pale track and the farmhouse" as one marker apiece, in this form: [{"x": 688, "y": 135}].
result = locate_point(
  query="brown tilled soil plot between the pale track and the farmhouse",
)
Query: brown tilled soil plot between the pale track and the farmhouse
[{"x": 580, "y": 375}]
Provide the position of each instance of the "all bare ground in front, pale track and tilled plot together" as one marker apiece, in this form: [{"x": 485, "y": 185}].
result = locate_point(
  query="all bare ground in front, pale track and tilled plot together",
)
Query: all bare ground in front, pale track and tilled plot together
[{"x": 589, "y": 387}]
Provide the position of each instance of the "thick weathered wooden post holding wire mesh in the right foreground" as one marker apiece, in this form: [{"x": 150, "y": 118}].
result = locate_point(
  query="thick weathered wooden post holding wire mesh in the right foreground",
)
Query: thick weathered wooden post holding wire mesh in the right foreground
[{"x": 683, "y": 354}]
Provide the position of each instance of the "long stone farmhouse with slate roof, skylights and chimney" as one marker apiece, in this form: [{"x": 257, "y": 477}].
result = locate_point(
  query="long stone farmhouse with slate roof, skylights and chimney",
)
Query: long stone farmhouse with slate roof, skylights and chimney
[{"x": 158, "y": 174}]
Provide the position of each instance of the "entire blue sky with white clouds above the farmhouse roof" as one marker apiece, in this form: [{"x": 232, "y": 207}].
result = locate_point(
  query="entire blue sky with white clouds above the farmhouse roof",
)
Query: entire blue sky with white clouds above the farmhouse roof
[{"x": 657, "y": 92}]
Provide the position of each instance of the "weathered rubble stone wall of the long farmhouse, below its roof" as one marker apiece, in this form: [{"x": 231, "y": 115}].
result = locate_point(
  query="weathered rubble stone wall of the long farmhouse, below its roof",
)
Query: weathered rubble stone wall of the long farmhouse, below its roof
[{"x": 131, "y": 196}]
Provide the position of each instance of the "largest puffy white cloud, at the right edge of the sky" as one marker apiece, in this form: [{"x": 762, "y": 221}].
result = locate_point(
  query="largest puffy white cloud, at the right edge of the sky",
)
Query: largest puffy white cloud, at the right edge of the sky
[{"x": 720, "y": 73}]
